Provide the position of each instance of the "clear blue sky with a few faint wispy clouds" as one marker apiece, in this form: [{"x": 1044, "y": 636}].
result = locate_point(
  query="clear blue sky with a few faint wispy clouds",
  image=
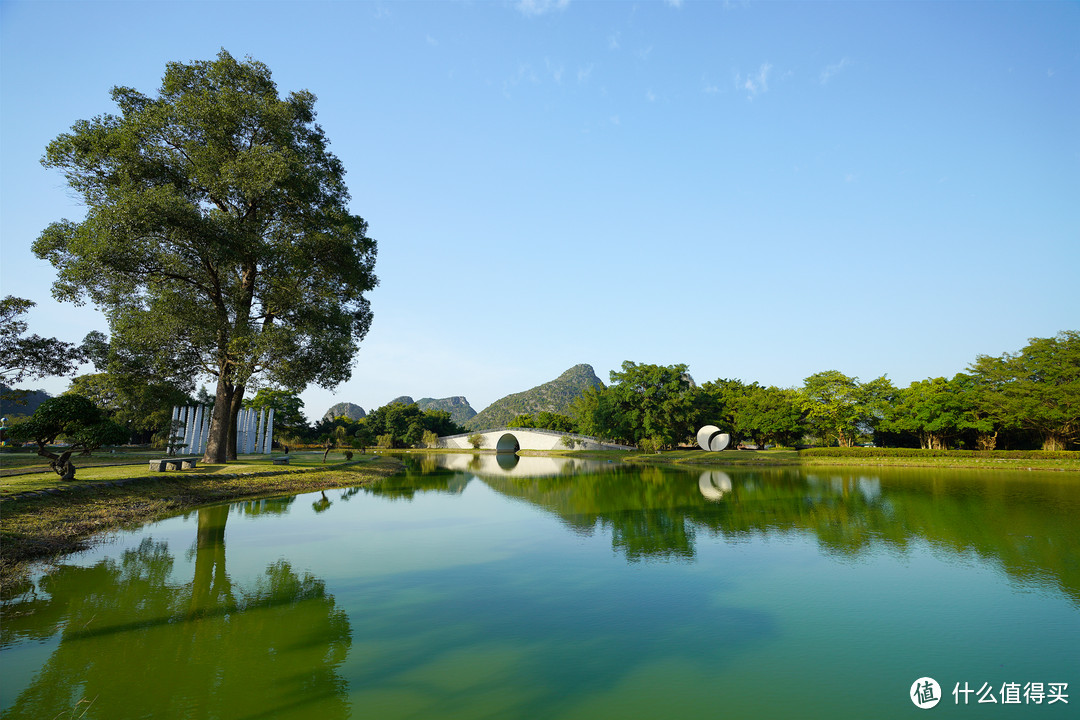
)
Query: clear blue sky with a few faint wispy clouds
[{"x": 761, "y": 191}]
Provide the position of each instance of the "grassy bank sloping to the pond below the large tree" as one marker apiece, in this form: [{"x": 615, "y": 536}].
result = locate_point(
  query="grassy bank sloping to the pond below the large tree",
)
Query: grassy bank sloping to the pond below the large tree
[{"x": 56, "y": 522}]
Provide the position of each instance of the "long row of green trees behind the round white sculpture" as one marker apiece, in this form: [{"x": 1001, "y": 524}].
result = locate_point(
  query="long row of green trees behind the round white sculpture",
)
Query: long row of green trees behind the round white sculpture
[{"x": 1031, "y": 399}]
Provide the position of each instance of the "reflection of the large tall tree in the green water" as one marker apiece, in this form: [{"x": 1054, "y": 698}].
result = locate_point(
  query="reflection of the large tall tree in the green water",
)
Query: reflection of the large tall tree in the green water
[{"x": 134, "y": 645}]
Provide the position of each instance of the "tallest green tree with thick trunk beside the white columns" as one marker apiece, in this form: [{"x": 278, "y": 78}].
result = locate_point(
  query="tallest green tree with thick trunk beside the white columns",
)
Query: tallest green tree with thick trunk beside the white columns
[{"x": 218, "y": 234}]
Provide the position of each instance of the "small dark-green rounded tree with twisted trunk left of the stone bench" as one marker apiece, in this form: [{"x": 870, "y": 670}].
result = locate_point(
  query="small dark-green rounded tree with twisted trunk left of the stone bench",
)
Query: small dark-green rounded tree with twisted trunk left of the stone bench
[{"x": 74, "y": 417}]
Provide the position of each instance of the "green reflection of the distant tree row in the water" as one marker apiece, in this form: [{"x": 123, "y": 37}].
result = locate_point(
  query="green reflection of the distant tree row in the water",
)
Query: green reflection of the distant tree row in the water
[{"x": 1029, "y": 527}]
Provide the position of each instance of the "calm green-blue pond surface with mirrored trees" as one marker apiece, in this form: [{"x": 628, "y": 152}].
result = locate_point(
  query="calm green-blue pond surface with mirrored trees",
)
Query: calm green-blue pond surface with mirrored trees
[{"x": 535, "y": 589}]
